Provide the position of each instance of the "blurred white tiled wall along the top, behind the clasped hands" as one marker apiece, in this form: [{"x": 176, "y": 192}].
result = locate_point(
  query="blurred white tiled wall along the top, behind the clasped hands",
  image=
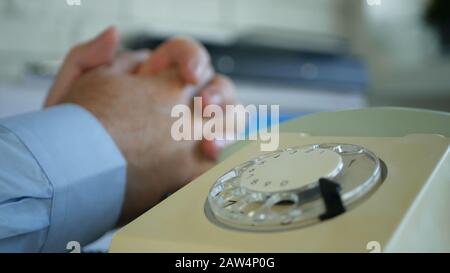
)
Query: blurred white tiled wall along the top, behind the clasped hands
[{"x": 41, "y": 30}]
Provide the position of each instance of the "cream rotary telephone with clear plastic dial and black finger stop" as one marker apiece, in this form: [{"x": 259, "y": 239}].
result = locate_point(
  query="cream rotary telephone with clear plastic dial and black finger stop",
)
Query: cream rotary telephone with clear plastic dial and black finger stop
[{"x": 315, "y": 194}]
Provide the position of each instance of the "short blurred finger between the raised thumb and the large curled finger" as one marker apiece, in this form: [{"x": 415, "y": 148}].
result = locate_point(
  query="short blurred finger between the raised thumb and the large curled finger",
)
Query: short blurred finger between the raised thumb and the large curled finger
[{"x": 128, "y": 62}]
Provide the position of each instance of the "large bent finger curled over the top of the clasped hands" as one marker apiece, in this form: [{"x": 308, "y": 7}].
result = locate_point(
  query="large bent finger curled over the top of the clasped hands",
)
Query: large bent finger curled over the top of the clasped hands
[{"x": 190, "y": 57}]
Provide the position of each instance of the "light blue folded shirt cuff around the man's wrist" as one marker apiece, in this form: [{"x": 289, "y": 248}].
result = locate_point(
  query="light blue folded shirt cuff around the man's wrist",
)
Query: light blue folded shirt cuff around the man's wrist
[{"x": 84, "y": 166}]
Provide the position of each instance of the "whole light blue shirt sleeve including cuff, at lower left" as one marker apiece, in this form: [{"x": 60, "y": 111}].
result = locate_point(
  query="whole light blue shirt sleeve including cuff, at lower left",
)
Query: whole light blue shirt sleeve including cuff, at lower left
[{"x": 62, "y": 179}]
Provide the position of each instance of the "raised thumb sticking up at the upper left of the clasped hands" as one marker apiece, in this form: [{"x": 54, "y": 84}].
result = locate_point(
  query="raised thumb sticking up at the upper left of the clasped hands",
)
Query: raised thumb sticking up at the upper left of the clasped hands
[{"x": 82, "y": 58}]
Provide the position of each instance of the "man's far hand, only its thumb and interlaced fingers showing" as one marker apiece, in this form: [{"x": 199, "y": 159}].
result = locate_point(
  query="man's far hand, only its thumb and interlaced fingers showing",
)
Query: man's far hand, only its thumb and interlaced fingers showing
[{"x": 188, "y": 56}]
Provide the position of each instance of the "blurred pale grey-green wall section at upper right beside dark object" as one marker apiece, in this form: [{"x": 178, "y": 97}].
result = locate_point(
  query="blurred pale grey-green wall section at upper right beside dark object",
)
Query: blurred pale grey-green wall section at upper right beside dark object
[{"x": 403, "y": 55}]
